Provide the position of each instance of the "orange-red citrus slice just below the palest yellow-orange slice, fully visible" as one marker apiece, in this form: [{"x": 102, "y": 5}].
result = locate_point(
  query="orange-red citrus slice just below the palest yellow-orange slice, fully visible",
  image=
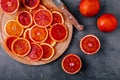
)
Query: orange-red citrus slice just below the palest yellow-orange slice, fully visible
[{"x": 21, "y": 47}]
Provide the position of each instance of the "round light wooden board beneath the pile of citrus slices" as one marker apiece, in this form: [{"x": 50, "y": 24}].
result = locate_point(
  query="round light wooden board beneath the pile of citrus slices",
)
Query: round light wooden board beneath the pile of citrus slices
[{"x": 59, "y": 47}]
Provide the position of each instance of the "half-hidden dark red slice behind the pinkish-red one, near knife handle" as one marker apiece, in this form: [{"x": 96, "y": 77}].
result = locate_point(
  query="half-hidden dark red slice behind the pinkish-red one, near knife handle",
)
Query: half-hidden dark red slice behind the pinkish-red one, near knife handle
[{"x": 57, "y": 17}]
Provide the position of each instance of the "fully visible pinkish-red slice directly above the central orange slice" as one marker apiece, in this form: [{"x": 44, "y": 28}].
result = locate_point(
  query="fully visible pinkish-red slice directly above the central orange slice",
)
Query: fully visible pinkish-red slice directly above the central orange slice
[{"x": 43, "y": 18}]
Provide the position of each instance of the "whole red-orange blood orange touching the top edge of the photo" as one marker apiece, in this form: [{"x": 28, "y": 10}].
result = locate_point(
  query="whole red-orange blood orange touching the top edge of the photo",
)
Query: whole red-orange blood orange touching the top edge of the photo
[{"x": 89, "y": 8}]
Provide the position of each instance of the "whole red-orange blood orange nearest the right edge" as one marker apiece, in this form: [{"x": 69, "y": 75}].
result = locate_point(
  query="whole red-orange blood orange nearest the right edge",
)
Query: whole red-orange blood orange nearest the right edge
[{"x": 107, "y": 23}]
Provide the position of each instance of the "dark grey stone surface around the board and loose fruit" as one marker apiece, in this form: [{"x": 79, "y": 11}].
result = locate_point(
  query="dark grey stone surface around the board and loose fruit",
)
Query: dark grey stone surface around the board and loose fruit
[{"x": 104, "y": 65}]
